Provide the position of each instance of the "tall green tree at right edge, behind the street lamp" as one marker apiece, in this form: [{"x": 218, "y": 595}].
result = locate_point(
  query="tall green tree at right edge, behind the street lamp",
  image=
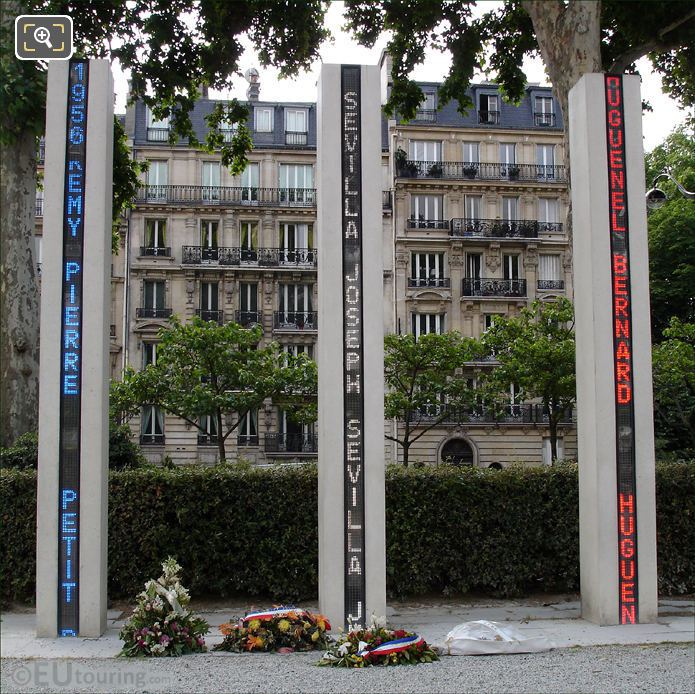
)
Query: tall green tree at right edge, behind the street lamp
[{"x": 672, "y": 234}]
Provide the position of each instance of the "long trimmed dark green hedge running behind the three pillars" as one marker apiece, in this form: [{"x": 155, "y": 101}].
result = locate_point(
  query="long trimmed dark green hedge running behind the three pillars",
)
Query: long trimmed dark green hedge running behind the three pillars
[{"x": 254, "y": 531}]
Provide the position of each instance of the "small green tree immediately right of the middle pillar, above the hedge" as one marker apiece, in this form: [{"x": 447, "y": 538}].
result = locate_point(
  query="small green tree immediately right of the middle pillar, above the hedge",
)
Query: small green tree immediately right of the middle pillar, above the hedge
[{"x": 421, "y": 388}]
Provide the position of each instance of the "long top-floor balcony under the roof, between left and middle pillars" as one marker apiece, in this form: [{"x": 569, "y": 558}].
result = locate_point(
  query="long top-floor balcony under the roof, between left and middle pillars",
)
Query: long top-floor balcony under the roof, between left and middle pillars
[{"x": 226, "y": 196}]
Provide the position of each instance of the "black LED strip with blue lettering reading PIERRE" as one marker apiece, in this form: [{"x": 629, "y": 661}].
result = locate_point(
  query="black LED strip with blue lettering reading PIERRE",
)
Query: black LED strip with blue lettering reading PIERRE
[{"x": 71, "y": 351}]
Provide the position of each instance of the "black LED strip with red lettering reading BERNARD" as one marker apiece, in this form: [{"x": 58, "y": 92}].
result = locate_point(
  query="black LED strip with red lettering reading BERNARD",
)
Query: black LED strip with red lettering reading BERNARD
[{"x": 622, "y": 352}]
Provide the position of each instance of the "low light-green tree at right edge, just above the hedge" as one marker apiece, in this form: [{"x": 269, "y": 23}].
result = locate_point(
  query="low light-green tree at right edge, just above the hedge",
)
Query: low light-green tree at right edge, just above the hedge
[{"x": 674, "y": 390}]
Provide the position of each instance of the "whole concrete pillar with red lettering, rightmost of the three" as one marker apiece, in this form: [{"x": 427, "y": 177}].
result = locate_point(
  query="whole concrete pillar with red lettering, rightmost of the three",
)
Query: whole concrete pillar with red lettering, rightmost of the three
[{"x": 614, "y": 388}]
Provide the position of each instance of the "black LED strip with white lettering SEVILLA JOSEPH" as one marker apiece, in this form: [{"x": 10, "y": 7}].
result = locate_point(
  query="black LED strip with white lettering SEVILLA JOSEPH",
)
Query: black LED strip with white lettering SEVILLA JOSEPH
[{"x": 353, "y": 369}]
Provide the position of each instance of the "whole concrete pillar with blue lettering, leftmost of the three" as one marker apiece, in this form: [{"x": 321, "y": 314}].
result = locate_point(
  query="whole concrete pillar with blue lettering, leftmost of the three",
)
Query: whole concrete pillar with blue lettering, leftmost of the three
[{"x": 75, "y": 302}]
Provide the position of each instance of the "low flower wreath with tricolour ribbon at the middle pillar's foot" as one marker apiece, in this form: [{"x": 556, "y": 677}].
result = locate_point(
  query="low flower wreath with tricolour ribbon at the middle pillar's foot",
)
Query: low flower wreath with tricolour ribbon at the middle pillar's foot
[{"x": 378, "y": 645}]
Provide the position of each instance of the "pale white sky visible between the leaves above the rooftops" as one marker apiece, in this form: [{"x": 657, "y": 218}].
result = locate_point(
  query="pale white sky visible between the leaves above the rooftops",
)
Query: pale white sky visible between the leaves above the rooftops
[{"x": 343, "y": 49}]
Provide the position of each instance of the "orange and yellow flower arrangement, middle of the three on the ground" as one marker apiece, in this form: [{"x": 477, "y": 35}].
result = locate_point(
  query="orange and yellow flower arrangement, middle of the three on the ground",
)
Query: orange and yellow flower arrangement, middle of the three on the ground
[{"x": 284, "y": 629}]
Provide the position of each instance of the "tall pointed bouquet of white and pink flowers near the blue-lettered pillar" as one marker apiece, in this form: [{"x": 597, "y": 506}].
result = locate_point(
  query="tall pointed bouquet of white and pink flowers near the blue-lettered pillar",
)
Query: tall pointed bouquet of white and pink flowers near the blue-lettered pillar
[{"x": 160, "y": 624}]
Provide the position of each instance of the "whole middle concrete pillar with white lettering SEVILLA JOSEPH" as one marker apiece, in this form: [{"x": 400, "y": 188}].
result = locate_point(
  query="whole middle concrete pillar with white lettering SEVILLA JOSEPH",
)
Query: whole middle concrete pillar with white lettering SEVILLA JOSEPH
[{"x": 352, "y": 573}]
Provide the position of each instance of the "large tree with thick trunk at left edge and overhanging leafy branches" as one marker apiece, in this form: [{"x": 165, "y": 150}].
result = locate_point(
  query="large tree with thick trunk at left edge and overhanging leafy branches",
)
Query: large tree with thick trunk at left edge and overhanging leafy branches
[{"x": 172, "y": 49}]
